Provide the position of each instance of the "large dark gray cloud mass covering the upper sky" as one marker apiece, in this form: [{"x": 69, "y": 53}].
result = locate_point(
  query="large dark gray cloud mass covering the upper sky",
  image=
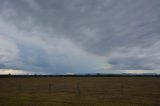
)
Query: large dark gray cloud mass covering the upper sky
[{"x": 97, "y": 26}]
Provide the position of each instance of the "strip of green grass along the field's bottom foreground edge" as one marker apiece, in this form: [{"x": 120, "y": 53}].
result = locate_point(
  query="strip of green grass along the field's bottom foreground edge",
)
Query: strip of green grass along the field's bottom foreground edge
[{"x": 63, "y": 100}]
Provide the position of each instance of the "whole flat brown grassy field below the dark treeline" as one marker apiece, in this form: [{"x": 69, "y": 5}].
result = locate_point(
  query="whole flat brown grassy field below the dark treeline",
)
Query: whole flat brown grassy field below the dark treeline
[{"x": 80, "y": 91}]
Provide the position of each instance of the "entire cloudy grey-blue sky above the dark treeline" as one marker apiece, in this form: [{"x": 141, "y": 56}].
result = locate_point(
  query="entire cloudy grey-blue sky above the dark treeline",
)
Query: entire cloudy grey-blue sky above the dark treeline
[{"x": 79, "y": 36}]
